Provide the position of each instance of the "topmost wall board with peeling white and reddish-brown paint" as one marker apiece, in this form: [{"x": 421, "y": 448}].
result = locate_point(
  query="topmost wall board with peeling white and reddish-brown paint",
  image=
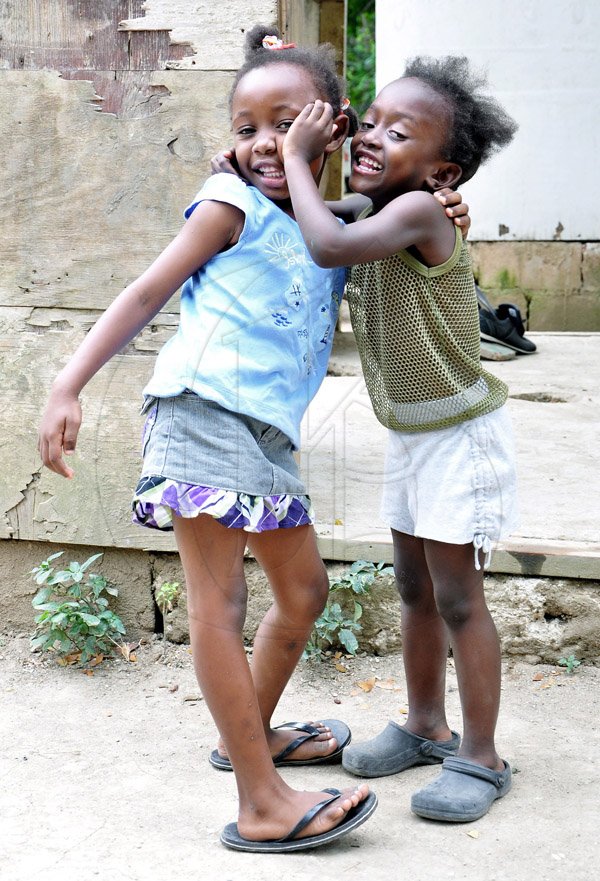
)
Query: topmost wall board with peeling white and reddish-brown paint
[{"x": 131, "y": 34}]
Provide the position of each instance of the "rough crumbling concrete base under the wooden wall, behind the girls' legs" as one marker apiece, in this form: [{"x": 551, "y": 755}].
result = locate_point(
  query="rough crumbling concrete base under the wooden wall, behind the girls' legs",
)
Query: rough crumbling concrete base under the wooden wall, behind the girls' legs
[{"x": 538, "y": 619}]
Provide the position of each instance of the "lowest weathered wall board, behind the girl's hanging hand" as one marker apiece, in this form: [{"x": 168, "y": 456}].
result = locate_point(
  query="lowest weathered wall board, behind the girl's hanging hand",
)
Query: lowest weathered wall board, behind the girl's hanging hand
[{"x": 93, "y": 508}]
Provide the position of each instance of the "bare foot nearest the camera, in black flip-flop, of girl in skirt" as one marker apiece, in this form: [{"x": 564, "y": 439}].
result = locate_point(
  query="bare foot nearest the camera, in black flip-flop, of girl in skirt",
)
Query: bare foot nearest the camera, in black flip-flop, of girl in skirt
[{"x": 282, "y": 816}]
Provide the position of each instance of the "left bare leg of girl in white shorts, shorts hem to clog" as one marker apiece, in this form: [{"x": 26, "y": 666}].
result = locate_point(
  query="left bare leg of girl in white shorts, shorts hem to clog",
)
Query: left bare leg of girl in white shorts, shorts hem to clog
[{"x": 424, "y": 640}]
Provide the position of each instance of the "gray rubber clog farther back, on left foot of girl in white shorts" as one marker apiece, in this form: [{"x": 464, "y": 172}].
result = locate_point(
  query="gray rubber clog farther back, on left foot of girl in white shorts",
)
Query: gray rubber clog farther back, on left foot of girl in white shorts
[{"x": 395, "y": 750}]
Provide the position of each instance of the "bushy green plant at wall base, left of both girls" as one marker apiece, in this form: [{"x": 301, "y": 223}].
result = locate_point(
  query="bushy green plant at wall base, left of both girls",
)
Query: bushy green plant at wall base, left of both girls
[{"x": 73, "y": 616}]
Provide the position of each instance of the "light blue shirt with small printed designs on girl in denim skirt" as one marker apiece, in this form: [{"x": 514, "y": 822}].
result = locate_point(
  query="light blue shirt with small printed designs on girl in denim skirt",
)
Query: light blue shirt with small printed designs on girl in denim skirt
[{"x": 257, "y": 320}]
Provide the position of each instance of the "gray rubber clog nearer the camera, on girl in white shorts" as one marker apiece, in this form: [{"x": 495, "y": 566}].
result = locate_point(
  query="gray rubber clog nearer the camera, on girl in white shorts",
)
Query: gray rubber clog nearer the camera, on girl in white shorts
[{"x": 463, "y": 792}]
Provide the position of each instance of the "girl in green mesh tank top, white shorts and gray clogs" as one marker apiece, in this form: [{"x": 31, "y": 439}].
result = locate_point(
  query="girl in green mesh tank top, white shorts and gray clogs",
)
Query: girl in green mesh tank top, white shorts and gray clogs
[{"x": 450, "y": 481}]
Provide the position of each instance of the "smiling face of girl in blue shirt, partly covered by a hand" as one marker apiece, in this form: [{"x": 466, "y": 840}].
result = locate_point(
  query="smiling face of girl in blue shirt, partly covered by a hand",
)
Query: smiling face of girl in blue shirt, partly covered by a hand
[{"x": 265, "y": 103}]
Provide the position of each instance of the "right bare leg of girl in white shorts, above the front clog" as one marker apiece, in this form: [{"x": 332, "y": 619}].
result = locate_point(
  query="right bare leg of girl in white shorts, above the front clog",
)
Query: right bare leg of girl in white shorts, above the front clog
[{"x": 460, "y": 599}]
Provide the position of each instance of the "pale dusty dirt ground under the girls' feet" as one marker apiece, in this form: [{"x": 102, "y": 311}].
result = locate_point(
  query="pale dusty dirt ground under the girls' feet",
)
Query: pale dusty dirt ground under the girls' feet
[{"x": 106, "y": 776}]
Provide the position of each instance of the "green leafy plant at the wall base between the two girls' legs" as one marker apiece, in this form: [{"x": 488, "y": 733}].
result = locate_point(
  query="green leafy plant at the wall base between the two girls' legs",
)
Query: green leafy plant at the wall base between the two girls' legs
[{"x": 336, "y": 628}]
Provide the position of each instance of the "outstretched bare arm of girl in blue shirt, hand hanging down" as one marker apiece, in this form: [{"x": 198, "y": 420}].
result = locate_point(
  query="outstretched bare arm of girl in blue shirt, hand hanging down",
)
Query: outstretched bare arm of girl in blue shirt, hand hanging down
[{"x": 211, "y": 227}]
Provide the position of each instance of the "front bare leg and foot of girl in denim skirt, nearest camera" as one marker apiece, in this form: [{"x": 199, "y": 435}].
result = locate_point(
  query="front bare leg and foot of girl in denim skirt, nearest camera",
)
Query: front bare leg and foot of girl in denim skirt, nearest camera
[{"x": 212, "y": 558}]
